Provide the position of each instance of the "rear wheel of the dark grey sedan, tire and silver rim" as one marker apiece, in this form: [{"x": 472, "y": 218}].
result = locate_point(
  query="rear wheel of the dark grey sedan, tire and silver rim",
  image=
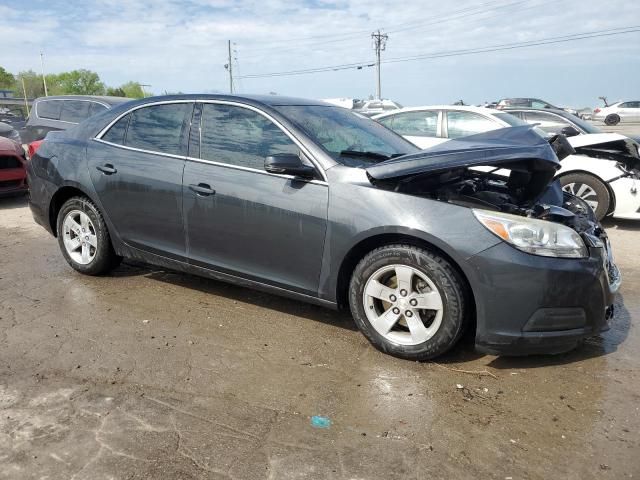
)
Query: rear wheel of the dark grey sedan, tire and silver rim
[{"x": 84, "y": 239}]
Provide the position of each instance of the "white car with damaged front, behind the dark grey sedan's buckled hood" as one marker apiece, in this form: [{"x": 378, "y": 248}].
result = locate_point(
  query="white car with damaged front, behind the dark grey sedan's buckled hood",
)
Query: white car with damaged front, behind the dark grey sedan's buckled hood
[{"x": 604, "y": 171}]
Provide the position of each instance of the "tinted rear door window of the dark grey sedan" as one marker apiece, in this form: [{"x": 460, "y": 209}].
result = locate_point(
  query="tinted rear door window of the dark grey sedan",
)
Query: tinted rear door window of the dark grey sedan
[{"x": 159, "y": 128}]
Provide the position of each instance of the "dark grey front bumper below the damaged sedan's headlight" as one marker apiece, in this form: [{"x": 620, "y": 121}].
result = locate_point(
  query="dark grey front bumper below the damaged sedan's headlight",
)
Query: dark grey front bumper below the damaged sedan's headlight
[{"x": 526, "y": 304}]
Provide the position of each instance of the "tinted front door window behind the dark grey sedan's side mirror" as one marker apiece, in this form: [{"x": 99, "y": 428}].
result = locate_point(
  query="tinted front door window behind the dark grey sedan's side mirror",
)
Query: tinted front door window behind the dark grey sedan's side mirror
[{"x": 239, "y": 136}]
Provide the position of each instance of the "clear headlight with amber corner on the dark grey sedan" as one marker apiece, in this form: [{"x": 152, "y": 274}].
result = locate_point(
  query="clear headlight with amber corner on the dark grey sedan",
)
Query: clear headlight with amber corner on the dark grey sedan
[{"x": 530, "y": 235}]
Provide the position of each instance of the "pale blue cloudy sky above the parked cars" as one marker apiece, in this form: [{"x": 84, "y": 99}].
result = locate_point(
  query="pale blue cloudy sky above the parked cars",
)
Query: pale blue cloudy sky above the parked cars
[{"x": 181, "y": 45}]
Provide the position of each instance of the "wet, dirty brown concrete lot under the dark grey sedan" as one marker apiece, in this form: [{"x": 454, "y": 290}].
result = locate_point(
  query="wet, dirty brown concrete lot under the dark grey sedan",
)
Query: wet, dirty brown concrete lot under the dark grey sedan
[{"x": 153, "y": 374}]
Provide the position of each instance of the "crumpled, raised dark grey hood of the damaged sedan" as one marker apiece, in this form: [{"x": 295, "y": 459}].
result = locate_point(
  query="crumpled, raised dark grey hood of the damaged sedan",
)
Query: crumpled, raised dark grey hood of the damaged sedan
[{"x": 502, "y": 147}]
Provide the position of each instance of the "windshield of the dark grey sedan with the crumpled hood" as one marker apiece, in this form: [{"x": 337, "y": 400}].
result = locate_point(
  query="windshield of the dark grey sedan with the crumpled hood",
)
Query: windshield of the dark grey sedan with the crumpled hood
[{"x": 343, "y": 133}]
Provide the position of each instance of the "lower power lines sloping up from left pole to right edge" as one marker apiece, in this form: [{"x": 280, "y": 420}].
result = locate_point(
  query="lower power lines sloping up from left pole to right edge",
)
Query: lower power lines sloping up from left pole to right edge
[{"x": 451, "y": 53}]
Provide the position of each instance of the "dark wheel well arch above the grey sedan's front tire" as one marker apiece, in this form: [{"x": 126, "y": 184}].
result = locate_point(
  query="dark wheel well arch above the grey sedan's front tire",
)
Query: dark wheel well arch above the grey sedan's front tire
[{"x": 361, "y": 249}]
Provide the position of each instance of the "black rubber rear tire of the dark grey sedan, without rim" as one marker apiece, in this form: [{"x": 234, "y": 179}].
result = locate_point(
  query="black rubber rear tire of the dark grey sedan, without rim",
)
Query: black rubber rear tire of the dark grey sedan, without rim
[{"x": 105, "y": 258}]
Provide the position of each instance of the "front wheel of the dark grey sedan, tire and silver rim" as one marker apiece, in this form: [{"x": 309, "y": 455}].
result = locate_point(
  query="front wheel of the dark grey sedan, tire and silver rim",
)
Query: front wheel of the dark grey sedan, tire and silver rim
[{"x": 408, "y": 302}]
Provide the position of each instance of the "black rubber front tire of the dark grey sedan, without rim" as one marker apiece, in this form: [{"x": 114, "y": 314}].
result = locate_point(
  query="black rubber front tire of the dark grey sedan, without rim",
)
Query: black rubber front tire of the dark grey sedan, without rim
[{"x": 449, "y": 284}]
